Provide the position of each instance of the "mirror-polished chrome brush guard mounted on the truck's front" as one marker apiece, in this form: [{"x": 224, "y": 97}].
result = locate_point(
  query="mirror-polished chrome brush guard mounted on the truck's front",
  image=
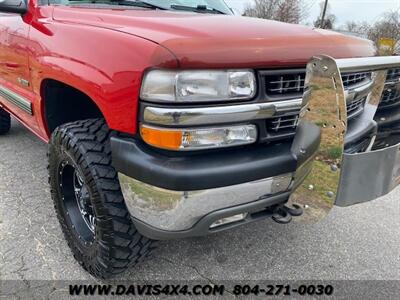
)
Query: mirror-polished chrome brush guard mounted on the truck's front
[{"x": 333, "y": 177}]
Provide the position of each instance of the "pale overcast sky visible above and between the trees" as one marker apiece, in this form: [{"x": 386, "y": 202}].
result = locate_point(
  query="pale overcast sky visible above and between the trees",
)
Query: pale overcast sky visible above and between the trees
[{"x": 345, "y": 10}]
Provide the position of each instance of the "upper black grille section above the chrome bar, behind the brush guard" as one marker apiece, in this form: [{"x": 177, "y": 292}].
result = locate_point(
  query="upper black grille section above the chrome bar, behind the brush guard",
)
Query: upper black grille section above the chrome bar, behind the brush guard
[{"x": 291, "y": 84}]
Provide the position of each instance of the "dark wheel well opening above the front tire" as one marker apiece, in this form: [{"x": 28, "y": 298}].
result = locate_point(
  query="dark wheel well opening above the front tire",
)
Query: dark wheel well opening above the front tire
[{"x": 64, "y": 104}]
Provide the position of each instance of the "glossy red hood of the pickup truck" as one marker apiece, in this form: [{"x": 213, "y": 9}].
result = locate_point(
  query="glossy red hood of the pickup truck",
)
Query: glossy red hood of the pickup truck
[{"x": 208, "y": 41}]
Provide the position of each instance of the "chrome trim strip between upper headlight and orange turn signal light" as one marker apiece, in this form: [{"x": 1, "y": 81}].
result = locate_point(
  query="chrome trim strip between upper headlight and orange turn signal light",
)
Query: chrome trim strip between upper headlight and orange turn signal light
[{"x": 219, "y": 114}]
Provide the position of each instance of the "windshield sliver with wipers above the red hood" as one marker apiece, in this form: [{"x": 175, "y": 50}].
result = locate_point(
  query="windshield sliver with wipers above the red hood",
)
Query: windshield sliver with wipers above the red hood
[{"x": 204, "y": 6}]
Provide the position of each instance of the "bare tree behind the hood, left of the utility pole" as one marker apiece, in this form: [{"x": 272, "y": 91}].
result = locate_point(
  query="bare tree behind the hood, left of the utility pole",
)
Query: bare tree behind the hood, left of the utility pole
[{"x": 289, "y": 11}]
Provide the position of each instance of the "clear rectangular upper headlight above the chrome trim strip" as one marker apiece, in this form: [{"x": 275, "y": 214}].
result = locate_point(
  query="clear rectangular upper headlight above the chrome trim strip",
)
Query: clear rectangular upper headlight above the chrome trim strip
[{"x": 198, "y": 86}]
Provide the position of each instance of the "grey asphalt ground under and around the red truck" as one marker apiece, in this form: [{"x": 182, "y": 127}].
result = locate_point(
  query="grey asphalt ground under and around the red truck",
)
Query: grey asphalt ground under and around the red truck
[{"x": 357, "y": 243}]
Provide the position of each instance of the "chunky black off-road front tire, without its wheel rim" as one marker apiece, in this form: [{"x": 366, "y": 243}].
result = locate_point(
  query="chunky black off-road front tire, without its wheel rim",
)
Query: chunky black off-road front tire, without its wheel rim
[{"x": 117, "y": 245}]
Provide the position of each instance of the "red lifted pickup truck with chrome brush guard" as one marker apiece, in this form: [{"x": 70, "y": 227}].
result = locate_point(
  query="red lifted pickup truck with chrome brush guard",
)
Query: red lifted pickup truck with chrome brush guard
[{"x": 171, "y": 119}]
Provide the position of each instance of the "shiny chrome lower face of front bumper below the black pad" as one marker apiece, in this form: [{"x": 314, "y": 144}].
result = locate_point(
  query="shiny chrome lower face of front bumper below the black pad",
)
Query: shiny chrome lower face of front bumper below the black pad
[{"x": 180, "y": 210}]
